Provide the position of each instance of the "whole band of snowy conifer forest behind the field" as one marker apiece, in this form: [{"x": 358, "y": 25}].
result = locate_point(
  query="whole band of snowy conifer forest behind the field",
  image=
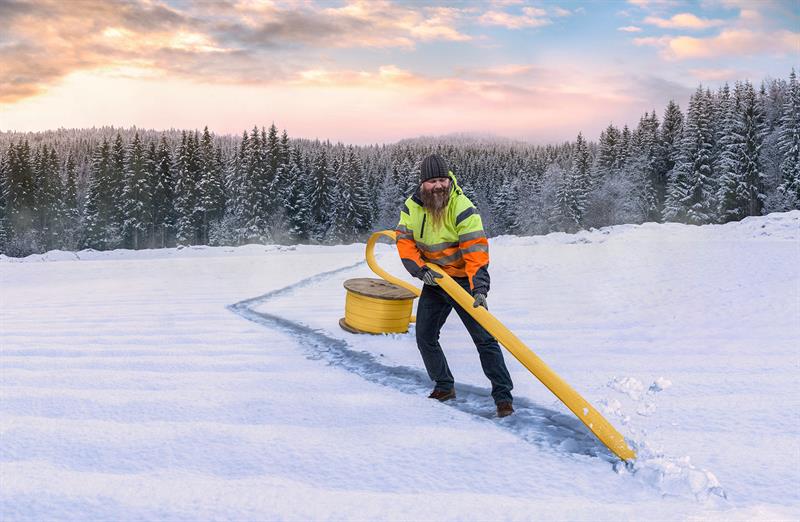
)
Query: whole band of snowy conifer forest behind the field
[{"x": 735, "y": 153}]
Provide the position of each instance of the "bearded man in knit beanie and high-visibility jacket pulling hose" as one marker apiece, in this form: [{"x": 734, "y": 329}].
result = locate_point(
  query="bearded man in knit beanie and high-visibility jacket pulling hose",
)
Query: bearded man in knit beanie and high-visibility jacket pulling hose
[{"x": 441, "y": 225}]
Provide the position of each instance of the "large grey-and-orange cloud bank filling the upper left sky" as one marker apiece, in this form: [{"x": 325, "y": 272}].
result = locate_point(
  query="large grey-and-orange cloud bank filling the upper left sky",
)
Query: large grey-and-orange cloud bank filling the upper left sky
[{"x": 225, "y": 41}]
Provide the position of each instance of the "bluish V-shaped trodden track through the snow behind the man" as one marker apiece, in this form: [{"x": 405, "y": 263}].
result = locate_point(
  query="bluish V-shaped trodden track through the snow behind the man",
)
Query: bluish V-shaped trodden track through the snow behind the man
[{"x": 533, "y": 423}]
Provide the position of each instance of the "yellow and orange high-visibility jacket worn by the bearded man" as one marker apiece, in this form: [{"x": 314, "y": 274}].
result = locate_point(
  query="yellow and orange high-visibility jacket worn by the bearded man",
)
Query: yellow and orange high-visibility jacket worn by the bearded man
[{"x": 459, "y": 246}]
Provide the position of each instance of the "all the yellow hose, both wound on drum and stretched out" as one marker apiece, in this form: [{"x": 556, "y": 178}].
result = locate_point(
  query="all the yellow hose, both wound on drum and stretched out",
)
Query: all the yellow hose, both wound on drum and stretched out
[{"x": 380, "y": 311}]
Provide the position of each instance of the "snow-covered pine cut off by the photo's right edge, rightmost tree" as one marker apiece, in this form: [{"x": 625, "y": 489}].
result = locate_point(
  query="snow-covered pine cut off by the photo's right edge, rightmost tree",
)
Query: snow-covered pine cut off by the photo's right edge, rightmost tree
[{"x": 789, "y": 143}]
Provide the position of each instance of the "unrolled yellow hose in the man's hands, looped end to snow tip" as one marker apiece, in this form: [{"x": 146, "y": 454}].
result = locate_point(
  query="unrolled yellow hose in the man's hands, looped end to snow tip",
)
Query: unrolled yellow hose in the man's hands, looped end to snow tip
[{"x": 592, "y": 418}]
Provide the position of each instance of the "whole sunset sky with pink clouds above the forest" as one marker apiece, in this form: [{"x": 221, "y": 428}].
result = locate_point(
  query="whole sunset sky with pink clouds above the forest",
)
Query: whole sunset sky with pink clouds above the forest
[{"x": 376, "y": 71}]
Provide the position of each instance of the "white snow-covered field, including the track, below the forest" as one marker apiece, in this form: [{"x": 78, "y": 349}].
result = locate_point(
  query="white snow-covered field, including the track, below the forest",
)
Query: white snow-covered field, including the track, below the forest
[{"x": 215, "y": 383}]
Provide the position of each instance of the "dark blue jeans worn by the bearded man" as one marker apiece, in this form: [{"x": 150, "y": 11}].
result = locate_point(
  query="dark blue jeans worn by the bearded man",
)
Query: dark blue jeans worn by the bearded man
[{"x": 432, "y": 311}]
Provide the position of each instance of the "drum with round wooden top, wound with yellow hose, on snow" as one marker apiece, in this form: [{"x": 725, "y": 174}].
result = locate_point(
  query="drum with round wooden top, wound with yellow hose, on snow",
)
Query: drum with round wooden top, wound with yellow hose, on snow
[{"x": 376, "y": 306}]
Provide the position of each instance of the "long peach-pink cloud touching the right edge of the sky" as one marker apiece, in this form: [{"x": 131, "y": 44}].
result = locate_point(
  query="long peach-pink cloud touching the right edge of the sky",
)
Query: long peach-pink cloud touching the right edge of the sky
[{"x": 729, "y": 43}]
